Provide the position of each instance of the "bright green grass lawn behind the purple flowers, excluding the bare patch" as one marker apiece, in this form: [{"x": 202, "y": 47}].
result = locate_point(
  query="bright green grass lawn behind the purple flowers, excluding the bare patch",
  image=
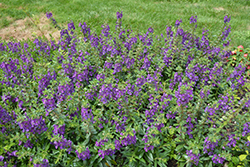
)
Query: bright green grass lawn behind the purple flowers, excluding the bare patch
[{"x": 138, "y": 14}]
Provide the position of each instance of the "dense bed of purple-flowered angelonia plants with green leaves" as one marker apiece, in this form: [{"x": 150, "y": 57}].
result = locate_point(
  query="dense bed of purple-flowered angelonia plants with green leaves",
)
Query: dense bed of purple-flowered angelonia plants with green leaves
[{"x": 123, "y": 99}]
